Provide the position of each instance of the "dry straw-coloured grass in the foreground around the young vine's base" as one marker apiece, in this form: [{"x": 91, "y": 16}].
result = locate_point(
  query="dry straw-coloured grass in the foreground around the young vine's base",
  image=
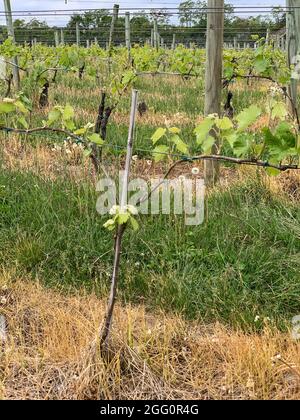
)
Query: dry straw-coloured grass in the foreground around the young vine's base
[{"x": 47, "y": 353}]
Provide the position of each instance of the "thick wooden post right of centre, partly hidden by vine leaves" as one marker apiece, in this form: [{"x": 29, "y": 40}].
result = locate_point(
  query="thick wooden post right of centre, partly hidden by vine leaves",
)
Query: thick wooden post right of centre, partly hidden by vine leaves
[{"x": 213, "y": 75}]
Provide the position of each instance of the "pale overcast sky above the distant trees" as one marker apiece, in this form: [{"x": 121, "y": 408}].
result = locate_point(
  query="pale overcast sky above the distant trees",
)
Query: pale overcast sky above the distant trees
[{"x": 21, "y": 5}]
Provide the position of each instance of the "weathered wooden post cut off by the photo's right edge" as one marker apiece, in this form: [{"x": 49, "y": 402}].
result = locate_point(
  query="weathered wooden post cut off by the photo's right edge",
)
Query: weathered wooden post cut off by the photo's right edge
[{"x": 293, "y": 48}]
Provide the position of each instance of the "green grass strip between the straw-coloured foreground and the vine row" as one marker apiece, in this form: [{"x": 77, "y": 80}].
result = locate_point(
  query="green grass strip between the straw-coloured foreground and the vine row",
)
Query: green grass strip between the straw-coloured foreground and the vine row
[{"x": 243, "y": 262}]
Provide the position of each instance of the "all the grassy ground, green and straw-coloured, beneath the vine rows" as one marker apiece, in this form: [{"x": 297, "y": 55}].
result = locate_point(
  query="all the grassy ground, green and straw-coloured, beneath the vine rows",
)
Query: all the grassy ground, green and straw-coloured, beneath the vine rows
[{"x": 201, "y": 311}]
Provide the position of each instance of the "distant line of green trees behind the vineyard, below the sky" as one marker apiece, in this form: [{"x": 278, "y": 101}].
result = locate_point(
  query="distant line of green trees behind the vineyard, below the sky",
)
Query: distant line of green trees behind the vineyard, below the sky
[{"x": 188, "y": 24}]
